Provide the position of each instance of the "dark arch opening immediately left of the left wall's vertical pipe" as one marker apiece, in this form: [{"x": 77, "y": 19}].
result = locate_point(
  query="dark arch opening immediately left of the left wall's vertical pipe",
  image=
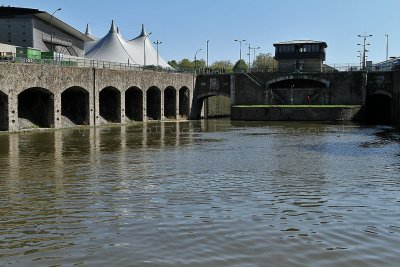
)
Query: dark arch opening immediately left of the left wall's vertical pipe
[{"x": 75, "y": 106}]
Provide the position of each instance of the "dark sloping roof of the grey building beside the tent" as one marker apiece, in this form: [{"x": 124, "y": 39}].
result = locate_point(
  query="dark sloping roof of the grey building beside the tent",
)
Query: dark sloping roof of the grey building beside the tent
[{"x": 12, "y": 12}]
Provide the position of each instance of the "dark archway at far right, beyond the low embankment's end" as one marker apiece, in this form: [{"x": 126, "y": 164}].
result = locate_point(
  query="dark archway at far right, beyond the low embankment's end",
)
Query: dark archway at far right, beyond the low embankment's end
[{"x": 379, "y": 109}]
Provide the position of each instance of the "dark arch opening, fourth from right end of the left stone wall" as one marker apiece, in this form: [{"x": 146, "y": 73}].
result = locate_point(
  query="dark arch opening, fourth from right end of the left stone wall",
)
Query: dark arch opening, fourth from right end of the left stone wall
[{"x": 134, "y": 104}]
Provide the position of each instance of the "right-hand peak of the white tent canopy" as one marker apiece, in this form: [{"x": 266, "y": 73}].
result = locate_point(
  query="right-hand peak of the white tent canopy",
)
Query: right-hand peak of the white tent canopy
[{"x": 143, "y": 41}]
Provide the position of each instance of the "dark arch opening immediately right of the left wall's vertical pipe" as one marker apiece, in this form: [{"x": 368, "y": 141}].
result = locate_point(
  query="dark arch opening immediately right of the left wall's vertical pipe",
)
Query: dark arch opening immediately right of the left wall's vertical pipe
[{"x": 110, "y": 104}]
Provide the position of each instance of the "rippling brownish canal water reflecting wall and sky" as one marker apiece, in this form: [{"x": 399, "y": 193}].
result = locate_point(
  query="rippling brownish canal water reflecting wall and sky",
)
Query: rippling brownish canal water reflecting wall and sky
[{"x": 203, "y": 193}]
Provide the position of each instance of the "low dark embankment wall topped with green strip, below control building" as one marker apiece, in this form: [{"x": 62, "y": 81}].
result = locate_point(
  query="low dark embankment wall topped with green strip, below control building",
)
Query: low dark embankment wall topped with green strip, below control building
[{"x": 297, "y": 113}]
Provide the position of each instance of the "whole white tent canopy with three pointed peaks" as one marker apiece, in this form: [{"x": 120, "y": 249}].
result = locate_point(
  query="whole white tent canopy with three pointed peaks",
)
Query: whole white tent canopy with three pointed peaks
[{"x": 114, "y": 48}]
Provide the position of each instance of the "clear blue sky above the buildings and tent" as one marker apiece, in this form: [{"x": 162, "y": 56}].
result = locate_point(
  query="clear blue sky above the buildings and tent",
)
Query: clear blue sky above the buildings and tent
[{"x": 184, "y": 26}]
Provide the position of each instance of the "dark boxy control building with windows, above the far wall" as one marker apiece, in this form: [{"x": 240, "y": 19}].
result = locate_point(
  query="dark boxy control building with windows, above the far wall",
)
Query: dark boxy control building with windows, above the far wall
[{"x": 300, "y": 56}]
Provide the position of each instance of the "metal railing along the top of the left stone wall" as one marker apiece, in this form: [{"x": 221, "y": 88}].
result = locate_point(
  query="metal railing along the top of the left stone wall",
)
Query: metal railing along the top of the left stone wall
[{"x": 66, "y": 61}]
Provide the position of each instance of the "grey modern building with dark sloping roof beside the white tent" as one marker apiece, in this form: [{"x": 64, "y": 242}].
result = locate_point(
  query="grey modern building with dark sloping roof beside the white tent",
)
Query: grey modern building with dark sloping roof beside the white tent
[{"x": 28, "y": 27}]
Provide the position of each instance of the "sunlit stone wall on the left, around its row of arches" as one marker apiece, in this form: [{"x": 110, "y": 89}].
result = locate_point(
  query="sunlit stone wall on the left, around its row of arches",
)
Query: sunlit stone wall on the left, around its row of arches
[{"x": 16, "y": 78}]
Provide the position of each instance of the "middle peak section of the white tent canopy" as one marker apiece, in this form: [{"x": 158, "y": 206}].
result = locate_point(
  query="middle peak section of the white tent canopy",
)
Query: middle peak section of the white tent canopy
[{"x": 111, "y": 48}]
